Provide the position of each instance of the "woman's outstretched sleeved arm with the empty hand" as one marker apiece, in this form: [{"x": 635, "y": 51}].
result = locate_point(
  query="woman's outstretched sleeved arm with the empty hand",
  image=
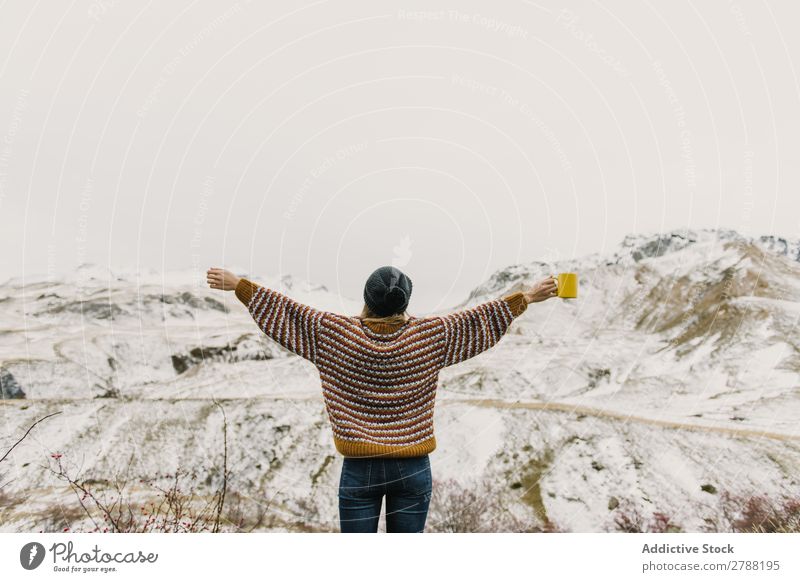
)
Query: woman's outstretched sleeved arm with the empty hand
[{"x": 292, "y": 324}]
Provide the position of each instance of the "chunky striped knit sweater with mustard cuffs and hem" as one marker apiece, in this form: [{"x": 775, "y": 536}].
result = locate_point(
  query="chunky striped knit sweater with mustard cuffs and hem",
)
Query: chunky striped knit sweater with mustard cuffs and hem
[{"x": 379, "y": 380}]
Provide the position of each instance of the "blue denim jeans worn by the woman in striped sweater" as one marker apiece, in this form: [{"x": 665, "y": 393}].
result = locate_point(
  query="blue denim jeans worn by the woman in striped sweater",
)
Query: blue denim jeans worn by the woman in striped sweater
[{"x": 406, "y": 482}]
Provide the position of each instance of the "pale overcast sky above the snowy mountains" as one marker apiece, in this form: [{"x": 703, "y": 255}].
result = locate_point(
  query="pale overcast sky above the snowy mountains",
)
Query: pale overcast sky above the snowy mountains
[{"x": 325, "y": 139}]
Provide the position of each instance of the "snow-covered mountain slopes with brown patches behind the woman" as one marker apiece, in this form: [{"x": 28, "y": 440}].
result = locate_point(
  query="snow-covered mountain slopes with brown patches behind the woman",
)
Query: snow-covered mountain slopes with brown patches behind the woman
[{"x": 678, "y": 367}]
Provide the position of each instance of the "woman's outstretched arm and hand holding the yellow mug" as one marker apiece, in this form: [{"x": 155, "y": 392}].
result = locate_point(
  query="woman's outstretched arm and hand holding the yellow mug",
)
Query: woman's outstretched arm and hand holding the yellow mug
[{"x": 472, "y": 331}]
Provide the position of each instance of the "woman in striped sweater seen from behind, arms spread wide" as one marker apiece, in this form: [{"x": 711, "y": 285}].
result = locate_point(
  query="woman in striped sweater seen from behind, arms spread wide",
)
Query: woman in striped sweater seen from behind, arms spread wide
[{"x": 379, "y": 372}]
